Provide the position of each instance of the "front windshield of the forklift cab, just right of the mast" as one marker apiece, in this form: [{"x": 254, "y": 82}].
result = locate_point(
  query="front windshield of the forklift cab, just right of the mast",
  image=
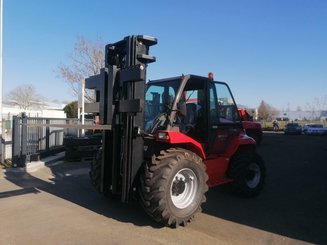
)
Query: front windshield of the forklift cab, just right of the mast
[{"x": 159, "y": 99}]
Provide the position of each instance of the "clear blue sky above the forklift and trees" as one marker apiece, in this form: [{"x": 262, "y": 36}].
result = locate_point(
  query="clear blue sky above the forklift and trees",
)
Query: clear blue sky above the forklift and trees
[{"x": 273, "y": 50}]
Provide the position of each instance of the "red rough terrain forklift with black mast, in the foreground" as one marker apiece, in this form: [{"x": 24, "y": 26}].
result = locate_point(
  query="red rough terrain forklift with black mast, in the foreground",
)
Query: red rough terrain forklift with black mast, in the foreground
[{"x": 170, "y": 139}]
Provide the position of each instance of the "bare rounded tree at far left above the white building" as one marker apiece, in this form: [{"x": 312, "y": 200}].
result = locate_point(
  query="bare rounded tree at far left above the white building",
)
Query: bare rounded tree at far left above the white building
[{"x": 25, "y": 97}]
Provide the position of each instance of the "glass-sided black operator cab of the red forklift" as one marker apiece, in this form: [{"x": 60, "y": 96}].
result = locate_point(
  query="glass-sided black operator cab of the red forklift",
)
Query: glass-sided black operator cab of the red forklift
[{"x": 196, "y": 106}]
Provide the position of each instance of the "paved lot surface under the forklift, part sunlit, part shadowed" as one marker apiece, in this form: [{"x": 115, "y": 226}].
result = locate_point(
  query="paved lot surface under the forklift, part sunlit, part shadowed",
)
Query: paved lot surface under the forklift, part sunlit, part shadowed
[{"x": 57, "y": 205}]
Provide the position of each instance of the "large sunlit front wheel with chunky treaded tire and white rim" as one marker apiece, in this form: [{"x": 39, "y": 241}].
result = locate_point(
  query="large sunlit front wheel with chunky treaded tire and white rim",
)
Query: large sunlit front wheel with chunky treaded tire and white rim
[{"x": 172, "y": 186}]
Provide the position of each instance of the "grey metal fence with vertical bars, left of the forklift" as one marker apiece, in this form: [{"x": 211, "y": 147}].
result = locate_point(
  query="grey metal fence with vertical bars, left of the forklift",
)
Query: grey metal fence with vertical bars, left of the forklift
[{"x": 30, "y": 142}]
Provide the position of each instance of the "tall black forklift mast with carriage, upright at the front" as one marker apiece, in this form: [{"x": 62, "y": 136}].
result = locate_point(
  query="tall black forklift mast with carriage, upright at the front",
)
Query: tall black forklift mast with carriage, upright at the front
[{"x": 120, "y": 90}]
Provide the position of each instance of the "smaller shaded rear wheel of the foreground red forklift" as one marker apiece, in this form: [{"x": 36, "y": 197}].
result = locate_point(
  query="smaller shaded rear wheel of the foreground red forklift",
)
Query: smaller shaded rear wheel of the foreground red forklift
[{"x": 249, "y": 173}]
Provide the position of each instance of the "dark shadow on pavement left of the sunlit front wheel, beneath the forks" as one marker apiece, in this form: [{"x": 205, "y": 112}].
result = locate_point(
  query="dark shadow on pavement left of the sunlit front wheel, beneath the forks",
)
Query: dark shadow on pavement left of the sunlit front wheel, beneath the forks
[{"x": 71, "y": 182}]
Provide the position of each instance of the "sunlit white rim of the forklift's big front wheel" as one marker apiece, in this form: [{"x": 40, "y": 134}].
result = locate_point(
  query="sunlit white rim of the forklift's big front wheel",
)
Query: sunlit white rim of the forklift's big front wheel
[{"x": 183, "y": 188}]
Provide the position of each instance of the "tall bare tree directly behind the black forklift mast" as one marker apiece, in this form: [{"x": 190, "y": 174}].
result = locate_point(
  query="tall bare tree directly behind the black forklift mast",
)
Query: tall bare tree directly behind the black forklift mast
[{"x": 86, "y": 60}]
